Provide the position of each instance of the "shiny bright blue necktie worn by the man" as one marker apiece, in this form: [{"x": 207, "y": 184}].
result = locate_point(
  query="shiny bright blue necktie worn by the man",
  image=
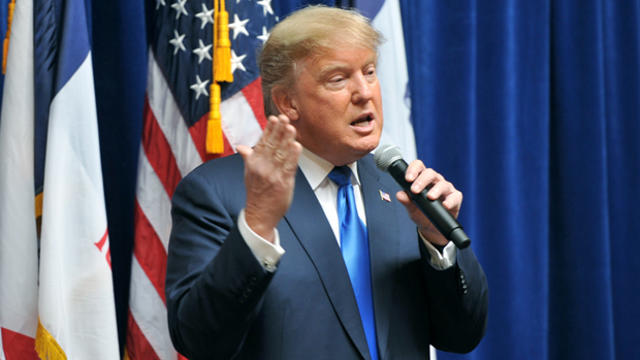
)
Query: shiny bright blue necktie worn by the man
[{"x": 355, "y": 251}]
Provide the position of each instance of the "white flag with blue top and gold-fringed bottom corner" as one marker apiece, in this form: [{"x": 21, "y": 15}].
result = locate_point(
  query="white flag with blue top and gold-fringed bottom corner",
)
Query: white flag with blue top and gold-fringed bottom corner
[{"x": 76, "y": 303}]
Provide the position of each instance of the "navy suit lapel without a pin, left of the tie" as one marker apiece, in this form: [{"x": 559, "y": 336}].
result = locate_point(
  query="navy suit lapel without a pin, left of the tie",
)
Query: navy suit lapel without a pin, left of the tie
[{"x": 308, "y": 223}]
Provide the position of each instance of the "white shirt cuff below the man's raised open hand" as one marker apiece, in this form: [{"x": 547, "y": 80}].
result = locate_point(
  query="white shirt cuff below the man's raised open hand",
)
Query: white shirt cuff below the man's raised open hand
[{"x": 267, "y": 254}]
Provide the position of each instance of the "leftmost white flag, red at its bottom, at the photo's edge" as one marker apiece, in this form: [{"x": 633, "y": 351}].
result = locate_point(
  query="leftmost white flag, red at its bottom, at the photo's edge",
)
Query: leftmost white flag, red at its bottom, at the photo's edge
[{"x": 18, "y": 239}]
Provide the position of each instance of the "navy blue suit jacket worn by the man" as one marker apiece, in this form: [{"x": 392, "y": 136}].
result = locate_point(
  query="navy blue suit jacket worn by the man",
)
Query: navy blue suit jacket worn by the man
[{"x": 222, "y": 304}]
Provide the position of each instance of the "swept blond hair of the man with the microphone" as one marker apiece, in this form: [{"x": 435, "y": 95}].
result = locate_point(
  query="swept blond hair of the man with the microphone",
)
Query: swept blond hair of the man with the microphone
[{"x": 309, "y": 32}]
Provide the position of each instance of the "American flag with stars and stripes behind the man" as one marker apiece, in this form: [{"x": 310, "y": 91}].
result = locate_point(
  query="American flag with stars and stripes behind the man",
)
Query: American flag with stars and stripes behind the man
[{"x": 174, "y": 133}]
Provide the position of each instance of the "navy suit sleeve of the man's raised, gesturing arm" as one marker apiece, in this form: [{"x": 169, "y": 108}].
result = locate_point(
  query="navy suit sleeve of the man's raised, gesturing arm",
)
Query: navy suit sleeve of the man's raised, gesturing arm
[{"x": 214, "y": 283}]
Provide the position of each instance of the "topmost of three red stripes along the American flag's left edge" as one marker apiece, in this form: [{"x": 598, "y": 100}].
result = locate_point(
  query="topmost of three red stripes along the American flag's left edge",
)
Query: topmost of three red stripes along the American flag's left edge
[{"x": 158, "y": 151}]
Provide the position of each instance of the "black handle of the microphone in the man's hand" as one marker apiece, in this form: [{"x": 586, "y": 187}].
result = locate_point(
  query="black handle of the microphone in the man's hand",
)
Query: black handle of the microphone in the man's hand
[{"x": 433, "y": 209}]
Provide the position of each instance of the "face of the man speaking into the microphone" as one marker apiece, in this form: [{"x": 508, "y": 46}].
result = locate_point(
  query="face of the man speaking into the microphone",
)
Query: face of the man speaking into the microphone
[{"x": 337, "y": 99}]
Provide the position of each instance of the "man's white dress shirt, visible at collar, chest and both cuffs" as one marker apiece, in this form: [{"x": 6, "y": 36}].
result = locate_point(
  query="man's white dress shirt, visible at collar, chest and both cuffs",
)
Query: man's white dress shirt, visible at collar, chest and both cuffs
[{"x": 316, "y": 171}]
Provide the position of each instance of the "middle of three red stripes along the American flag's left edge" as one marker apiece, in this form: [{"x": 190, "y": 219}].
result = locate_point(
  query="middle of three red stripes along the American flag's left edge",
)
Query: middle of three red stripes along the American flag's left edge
[{"x": 150, "y": 252}]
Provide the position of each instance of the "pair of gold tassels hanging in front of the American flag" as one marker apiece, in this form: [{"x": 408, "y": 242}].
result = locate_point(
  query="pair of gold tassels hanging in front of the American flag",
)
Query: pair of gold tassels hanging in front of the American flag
[{"x": 221, "y": 69}]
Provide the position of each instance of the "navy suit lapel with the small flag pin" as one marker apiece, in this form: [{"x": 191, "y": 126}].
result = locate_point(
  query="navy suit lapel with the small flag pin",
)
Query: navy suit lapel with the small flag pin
[{"x": 383, "y": 246}]
